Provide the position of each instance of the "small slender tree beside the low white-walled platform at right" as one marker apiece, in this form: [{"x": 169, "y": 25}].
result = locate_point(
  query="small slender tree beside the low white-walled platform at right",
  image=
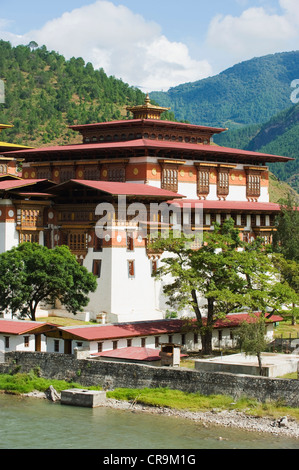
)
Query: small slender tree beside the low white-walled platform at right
[{"x": 251, "y": 337}]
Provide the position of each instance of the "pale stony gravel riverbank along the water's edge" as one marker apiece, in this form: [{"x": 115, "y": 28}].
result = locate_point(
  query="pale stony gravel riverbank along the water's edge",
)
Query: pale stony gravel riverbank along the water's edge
[{"x": 284, "y": 426}]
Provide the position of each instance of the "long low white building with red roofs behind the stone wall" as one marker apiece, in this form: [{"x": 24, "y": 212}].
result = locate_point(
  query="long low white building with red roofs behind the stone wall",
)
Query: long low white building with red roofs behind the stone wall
[{"x": 17, "y": 335}]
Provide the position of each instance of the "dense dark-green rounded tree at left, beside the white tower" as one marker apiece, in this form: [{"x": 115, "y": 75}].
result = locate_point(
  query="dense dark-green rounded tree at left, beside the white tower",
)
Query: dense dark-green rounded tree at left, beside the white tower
[{"x": 31, "y": 274}]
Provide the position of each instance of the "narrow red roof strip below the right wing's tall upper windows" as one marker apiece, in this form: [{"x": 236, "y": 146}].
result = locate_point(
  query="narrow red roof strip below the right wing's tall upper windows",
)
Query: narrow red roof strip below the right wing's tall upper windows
[{"x": 227, "y": 205}]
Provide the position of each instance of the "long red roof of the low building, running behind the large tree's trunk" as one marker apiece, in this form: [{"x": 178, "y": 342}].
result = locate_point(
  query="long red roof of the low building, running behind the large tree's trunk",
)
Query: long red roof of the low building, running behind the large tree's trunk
[{"x": 150, "y": 328}]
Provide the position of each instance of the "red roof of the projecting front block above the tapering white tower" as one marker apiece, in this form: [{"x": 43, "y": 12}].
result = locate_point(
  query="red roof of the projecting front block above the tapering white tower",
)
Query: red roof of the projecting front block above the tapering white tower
[{"x": 114, "y": 188}]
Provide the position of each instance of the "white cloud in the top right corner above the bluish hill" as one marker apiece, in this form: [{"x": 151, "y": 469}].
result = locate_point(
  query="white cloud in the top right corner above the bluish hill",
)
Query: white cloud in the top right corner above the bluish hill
[{"x": 255, "y": 32}]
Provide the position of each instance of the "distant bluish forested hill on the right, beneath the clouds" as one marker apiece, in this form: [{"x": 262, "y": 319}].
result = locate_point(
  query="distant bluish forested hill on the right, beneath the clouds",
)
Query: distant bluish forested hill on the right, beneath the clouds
[{"x": 248, "y": 93}]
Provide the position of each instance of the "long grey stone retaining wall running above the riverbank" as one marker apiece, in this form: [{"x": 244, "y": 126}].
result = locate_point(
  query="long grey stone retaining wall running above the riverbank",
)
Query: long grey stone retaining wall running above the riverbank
[{"x": 110, "y": 375}]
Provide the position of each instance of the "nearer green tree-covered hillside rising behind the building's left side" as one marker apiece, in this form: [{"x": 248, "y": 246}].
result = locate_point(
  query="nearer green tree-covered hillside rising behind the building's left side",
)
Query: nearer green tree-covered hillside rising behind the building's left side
[{"x": 44, "y": 93}]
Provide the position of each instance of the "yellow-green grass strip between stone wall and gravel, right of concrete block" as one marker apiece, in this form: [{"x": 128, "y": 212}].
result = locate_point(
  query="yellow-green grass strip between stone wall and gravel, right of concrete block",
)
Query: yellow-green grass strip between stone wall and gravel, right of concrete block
[{"x": 164, "y": 397}]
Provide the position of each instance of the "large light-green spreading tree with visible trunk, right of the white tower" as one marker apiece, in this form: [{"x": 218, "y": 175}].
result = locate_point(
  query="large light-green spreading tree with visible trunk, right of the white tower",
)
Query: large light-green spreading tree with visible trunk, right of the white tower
[{"x": 228, "y": 273}]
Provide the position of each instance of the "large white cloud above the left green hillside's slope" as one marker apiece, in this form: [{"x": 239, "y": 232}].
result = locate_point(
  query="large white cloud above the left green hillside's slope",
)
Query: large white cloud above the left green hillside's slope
[{"x": 124, "y": 44}]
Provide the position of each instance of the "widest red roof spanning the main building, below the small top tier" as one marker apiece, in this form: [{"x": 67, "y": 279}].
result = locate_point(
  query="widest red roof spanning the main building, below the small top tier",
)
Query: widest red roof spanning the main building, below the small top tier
[{"x": 202, "y": 149}]
